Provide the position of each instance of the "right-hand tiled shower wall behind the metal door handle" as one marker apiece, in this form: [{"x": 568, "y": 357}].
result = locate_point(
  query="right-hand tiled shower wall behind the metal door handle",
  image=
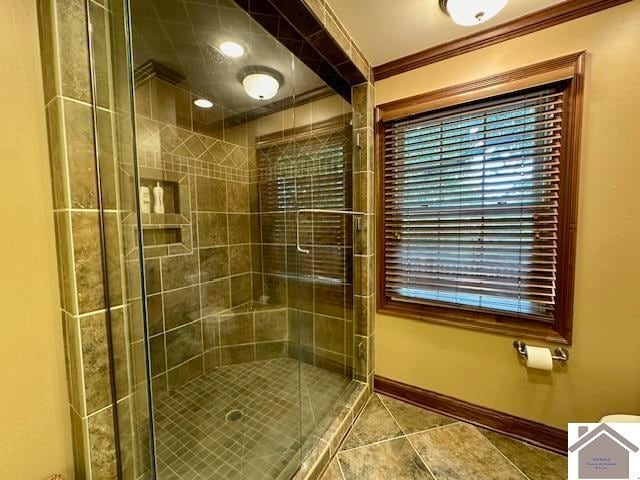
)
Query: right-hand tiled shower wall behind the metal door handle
[{"x": 311, "y": 168}]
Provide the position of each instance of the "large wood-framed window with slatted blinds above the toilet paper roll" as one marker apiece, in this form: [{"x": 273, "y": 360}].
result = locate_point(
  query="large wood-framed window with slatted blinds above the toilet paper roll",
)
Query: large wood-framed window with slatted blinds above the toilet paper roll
[{"x": 477, "y": 202}]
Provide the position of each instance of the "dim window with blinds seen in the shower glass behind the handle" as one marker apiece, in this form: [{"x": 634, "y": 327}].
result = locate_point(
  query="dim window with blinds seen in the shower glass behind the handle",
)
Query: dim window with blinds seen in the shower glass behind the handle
[{"x": 308, "y": 169}]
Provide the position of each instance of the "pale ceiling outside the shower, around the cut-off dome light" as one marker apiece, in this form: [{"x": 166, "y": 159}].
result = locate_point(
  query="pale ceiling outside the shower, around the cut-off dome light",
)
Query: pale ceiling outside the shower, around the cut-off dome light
[{"x": 389, "y": 29}]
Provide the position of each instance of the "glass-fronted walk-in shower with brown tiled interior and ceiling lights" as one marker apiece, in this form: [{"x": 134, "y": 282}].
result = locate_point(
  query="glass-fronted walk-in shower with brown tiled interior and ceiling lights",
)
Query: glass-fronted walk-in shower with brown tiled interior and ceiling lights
[{"x": 238, "y": 350}]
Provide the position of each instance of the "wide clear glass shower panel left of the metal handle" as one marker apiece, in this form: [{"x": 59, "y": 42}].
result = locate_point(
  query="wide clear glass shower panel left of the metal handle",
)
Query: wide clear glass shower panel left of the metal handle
[{"x": 225, "y": 392}]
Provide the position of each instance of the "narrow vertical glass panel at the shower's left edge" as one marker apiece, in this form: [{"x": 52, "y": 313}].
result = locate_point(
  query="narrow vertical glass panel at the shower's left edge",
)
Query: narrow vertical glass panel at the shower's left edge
[{"x": 112, "y": 101}]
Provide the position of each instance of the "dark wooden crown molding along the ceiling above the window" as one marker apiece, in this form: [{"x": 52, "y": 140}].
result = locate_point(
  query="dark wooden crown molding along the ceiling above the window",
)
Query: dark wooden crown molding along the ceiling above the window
[{"x": 538, "y": 20}]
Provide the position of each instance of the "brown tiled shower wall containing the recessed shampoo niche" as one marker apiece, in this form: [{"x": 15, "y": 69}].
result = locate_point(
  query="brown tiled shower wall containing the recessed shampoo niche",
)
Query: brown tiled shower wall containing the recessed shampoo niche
[{"x": 200, "y": 288}]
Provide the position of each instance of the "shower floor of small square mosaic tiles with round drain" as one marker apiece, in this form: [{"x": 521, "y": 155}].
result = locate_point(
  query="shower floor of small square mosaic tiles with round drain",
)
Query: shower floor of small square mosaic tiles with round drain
[{"x": 196, "y": 440}]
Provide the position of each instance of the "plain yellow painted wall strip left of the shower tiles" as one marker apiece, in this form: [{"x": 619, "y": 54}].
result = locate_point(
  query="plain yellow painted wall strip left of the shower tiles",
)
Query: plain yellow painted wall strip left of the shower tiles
[{"x": 35, "y": 437}]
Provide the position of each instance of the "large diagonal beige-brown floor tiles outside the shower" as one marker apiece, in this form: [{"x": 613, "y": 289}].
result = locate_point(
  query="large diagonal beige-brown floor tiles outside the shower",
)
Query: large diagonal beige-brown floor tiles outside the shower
[{"x": 393, "y": 440}]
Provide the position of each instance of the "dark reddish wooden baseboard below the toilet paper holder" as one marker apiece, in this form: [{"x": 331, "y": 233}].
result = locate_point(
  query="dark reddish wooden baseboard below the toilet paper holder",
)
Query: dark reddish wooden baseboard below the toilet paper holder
[{"x": 535, "y": 433}]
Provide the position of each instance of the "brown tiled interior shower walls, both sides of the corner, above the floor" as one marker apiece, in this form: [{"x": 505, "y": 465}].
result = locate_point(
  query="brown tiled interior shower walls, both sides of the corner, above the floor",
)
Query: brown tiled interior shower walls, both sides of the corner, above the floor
[{"x": 238, "y": 236}]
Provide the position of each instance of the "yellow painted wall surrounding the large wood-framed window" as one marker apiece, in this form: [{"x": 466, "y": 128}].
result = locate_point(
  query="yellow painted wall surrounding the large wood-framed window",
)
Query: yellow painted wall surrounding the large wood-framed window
[{"x": 603, "y": 374}]
